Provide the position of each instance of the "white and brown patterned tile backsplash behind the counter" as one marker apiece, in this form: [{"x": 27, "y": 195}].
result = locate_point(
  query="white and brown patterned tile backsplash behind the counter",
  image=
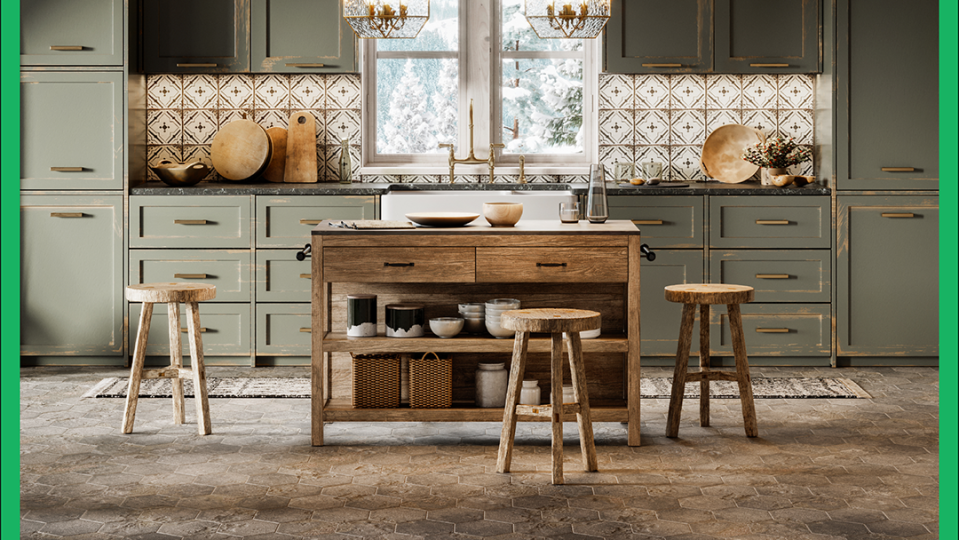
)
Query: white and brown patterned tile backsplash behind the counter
[{"x": 663, "y": 118}]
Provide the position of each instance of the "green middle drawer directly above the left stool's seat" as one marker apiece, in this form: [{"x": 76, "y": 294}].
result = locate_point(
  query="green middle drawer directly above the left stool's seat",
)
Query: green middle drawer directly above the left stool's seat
[{"x": 230, "y": 271}]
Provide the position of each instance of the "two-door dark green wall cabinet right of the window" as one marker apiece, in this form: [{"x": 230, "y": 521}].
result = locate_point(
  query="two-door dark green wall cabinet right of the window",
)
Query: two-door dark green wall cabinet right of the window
[{"x": 713, "y": 36}]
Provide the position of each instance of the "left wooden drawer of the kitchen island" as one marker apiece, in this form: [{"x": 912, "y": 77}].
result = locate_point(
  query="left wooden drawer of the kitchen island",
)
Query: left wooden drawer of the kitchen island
[{"x": 399, "y": 265}]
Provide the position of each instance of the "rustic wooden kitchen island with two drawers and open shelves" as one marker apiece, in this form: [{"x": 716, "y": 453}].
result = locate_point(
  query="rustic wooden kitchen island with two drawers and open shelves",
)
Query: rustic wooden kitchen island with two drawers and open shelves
[{"x": 543, "y": 263}]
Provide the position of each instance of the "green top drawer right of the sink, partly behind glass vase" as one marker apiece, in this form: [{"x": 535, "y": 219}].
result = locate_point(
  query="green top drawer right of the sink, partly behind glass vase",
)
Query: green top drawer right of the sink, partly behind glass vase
[{"x": 665, "y": 222}]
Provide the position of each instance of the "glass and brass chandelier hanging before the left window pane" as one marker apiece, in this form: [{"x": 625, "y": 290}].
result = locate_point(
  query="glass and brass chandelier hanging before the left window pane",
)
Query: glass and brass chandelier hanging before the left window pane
[{"x": 386, "y": 18}]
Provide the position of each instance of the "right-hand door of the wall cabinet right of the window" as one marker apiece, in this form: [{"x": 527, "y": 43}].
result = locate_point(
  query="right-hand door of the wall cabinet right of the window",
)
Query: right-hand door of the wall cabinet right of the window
[{"x": 759, "y": 36}]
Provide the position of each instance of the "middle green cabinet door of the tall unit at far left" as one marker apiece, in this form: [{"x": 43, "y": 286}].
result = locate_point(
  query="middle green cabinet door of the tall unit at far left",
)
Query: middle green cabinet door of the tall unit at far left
[{"x": 71, "y": 130}]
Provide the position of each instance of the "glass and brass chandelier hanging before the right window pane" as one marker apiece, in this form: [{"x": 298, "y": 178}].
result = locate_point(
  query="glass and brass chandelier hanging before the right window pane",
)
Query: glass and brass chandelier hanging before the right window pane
[{"x": 576, "y": 19}]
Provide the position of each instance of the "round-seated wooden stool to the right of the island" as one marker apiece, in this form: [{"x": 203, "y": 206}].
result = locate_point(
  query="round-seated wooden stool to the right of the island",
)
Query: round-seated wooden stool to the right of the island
[{"x": 705, "y": 295}]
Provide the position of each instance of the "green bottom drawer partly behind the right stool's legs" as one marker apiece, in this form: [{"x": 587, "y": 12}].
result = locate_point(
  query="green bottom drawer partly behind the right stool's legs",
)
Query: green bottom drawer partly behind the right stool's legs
[{"x": 775, "y": 330}]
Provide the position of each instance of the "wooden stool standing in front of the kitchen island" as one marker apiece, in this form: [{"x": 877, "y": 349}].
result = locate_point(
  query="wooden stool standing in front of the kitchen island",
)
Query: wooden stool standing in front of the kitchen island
[{"x": 555, "y": 322}]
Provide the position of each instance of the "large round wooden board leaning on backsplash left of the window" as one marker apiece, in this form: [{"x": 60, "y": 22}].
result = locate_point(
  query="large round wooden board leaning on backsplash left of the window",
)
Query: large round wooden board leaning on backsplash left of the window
[{"x": 240, "y": 150}]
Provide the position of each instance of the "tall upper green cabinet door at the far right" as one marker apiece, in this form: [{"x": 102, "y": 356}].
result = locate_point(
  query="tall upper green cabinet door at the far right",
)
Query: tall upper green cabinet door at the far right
[{"x": 887, "y": 99}]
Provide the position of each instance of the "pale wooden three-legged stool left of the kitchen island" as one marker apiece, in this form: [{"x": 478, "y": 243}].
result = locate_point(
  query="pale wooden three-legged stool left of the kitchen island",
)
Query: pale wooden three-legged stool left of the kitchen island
[{"x": 172, "y": 294}]
